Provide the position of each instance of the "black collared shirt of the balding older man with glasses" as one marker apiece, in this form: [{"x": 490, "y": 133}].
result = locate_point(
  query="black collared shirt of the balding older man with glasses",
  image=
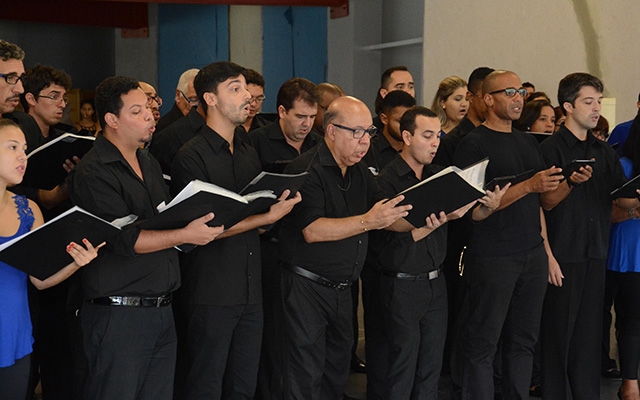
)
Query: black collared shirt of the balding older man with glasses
[{"x": 327, "y": 194}]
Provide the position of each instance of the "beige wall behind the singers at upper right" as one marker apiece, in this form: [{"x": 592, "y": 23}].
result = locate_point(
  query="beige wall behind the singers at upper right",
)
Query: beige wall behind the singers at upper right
[{"x": 541, "y": 41}]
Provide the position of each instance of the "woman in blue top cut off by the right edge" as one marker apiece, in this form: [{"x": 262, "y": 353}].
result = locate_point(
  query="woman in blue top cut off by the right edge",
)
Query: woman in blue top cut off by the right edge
[{"x": 623, "y": 265}]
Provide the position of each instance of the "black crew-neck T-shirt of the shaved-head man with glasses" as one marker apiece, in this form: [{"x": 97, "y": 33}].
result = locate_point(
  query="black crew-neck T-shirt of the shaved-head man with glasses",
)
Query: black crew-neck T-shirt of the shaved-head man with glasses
[{"x": 516, "y": 228}]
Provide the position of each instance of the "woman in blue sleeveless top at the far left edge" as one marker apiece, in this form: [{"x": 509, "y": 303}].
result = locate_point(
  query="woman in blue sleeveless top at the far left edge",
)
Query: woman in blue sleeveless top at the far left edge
[{"x": 19, "y": 215}]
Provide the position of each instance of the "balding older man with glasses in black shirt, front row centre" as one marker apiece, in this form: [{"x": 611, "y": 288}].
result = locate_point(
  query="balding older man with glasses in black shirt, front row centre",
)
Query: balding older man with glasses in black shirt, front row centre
[{"x": 323, "y": 244}]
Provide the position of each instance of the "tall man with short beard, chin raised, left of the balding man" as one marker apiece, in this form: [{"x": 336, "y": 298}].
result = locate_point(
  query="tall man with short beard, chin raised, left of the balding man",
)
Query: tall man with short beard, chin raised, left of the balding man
[{"x": 222, "y": 280}]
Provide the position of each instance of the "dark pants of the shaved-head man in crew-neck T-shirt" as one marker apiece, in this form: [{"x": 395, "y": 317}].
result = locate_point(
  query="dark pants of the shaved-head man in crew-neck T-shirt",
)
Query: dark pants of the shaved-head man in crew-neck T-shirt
[{"x": 504, "y": 295}]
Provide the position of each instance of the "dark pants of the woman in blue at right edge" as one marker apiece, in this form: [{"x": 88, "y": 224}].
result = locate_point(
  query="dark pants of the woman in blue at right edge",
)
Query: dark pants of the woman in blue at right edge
[{"x": 628, "y": 322}]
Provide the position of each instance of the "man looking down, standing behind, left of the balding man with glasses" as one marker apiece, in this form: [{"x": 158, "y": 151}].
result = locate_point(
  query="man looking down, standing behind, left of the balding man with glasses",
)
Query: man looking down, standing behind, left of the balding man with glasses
[{"x": 277, "y": 144}]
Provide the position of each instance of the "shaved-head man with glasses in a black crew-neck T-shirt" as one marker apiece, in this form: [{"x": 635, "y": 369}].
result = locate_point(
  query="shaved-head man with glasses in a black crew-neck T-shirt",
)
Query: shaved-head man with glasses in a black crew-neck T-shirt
[{"x": 508, "y": 254}]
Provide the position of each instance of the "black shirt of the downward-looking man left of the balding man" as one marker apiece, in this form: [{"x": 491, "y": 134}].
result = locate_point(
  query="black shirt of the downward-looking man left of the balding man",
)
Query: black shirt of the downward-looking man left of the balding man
[{"x": 272, "y": 147}]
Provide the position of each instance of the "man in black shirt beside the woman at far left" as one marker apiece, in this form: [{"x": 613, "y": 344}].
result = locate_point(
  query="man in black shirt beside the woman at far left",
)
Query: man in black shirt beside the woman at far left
[{"x": 129, "y": 335}]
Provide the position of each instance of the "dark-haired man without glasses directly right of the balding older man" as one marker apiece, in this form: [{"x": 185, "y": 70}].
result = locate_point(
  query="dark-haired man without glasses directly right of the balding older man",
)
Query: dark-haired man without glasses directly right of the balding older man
[{"x": 413, "y": 288}]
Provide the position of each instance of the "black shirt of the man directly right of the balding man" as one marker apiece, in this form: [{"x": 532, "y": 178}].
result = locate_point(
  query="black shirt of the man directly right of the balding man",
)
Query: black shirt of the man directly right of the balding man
[{"x": 399, "y": 252}]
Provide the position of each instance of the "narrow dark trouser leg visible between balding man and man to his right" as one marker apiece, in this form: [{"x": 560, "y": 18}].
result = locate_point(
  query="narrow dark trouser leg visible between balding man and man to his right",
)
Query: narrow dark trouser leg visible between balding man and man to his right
[{"x": 376, "y": 342}]
